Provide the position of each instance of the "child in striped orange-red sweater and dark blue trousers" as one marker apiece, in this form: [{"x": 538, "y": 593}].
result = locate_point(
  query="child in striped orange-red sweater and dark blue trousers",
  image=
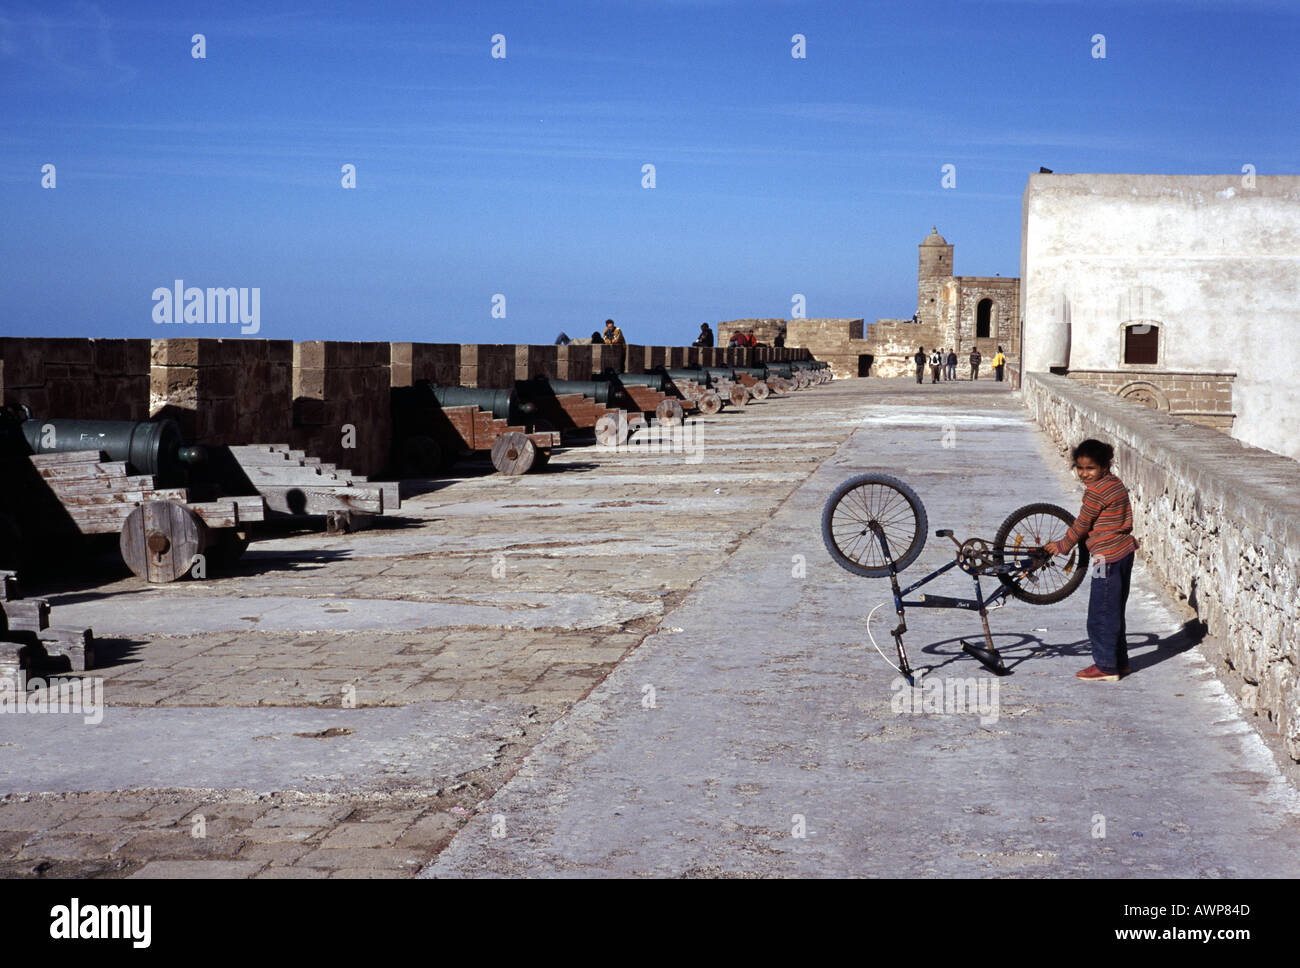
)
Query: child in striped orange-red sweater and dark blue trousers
[{"x": 1107, "y": 522}]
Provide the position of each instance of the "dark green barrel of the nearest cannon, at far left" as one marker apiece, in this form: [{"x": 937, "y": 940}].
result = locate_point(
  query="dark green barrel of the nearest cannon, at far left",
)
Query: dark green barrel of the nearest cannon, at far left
[{"x": 151, "y": 448}]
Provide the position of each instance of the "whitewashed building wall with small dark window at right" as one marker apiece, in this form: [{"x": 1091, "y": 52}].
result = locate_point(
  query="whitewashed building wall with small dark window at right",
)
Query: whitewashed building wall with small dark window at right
[{"x": 1214, "y": 262}]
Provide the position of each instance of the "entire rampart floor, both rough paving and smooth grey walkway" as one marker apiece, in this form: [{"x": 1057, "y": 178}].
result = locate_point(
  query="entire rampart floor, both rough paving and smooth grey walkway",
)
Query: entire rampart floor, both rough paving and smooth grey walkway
[{"x": 349, "y": 706}]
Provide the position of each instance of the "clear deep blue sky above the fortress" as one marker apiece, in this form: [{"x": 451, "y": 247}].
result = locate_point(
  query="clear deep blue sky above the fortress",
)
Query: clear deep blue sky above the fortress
[{"x": 523, "y": 176}]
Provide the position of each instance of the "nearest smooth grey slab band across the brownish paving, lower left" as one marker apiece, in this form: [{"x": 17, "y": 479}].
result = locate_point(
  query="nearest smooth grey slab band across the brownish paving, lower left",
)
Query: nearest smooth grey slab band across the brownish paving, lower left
[{"x": 417, "y": 746}]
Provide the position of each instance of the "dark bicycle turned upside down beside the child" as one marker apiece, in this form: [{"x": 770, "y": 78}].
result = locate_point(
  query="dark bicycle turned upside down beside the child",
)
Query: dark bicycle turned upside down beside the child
[{"x": 874, "y": 526}]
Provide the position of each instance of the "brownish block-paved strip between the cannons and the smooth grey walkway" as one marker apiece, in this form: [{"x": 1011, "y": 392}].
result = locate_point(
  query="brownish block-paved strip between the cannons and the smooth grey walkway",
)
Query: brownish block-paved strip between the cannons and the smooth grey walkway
[{"x": 337, "y": 706}]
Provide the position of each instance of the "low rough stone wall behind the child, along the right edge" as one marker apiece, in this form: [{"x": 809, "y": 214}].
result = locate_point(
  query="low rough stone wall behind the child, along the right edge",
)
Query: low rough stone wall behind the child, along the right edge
[{"x": 1217, "y": 520}]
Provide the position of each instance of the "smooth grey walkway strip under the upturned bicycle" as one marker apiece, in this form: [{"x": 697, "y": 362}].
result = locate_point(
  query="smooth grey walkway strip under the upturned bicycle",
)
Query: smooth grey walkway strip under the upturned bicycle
[{"x": 756, "y": 733}]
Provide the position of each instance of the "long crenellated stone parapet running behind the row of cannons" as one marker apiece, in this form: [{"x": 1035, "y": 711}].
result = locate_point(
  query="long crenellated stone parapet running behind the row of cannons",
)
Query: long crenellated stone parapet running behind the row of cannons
[{"x": 231, "y": 392}]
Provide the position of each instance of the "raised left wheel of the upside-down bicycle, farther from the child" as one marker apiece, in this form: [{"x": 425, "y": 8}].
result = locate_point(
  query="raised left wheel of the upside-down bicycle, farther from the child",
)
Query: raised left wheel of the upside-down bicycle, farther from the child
[{"x": 881, "y": 498}]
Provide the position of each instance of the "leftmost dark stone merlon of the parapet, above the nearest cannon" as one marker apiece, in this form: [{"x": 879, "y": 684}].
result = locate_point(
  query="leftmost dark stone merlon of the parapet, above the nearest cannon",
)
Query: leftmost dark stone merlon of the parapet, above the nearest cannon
[{"x": 80, "y": 379}]
